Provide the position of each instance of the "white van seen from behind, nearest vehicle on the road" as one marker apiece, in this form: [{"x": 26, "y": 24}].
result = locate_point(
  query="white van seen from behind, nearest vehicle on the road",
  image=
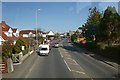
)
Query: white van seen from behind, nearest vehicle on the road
[{"x": 44, "y": 49}]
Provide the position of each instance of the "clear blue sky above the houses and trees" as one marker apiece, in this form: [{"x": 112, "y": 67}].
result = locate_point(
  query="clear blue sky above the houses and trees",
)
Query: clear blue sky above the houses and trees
[{"x": 52, "y": 16}]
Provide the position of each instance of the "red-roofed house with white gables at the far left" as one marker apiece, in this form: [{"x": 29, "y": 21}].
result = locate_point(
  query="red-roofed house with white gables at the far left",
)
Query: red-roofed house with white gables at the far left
[{"x": 8, "y": 33}]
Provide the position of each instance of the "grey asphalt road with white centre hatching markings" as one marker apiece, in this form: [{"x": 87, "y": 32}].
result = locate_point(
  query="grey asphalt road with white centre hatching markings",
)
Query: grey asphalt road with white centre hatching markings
[{"x": 63, "y": 62}]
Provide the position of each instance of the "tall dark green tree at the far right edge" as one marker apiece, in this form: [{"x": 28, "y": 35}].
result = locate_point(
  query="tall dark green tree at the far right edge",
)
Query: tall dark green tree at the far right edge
[{"x": 110, "y": 26}]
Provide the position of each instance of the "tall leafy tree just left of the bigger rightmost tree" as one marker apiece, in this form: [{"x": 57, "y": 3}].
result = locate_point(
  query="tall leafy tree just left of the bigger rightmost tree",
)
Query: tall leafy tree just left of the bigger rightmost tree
[{"x": 92, "y": 25}]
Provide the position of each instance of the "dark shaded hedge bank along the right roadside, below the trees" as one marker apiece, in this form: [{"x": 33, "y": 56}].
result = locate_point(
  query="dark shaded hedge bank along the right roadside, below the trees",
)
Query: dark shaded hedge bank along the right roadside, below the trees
[{"x": 111, "y": 52}]
